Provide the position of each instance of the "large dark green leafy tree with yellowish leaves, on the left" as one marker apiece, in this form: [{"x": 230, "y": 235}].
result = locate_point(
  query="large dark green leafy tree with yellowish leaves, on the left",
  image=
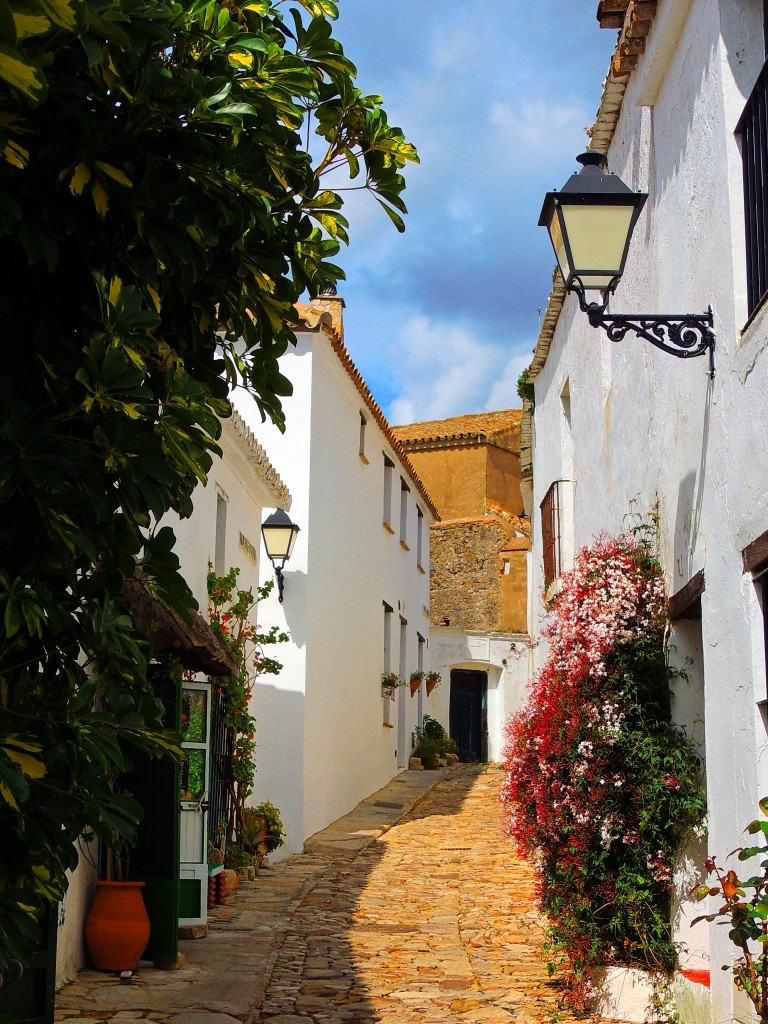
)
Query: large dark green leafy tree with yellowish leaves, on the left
[{"x": 160, "y": 214}]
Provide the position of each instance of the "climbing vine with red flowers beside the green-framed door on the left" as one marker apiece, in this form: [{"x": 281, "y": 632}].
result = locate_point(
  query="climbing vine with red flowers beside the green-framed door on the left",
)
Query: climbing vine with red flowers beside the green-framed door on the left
[{"x": 229, "y": 613}]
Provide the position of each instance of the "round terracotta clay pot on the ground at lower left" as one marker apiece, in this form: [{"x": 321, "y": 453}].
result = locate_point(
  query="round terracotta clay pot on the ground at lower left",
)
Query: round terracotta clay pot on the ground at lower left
[{"x": 117, "y": 929}]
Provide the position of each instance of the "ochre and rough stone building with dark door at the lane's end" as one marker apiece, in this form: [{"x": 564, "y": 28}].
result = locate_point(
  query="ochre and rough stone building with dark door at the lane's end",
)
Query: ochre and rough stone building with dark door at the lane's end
[{"x": 479, "y": 572}]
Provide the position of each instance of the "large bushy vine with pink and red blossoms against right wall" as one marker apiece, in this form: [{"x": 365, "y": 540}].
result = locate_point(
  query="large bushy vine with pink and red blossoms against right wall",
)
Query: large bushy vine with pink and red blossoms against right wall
[{"x": 602, "y": 791}]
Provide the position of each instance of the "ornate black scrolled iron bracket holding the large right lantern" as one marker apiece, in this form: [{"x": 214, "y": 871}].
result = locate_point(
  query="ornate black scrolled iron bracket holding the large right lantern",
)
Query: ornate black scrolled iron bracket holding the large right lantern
[{"x": 685, "y": 335}]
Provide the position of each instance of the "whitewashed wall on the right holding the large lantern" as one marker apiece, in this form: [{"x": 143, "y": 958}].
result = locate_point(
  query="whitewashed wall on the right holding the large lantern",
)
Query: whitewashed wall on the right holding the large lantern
[{"x": 648, "y": 428}]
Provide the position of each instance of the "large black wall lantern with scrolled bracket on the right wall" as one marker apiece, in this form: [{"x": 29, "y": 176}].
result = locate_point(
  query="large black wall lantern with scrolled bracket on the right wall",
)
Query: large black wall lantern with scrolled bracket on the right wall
[{"x": 590, "y": 224}]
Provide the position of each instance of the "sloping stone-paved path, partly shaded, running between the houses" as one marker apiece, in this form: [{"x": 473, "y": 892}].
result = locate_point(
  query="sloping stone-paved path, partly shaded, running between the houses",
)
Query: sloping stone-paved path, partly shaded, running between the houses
[{"x": 431, "y": 921}]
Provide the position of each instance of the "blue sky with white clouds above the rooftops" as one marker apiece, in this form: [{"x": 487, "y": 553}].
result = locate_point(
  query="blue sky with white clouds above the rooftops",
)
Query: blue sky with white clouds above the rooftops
[{"x": 496, "y": 95}]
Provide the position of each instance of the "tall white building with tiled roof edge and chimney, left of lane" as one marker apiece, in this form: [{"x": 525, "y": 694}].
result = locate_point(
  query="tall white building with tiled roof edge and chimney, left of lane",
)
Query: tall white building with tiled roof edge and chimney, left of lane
[{"x": 357, "y": 590}]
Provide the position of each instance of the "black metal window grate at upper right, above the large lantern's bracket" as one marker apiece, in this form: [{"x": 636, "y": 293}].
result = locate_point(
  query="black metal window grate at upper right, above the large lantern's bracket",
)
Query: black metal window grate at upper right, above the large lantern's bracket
[{"x": 753, "y": 129}]
